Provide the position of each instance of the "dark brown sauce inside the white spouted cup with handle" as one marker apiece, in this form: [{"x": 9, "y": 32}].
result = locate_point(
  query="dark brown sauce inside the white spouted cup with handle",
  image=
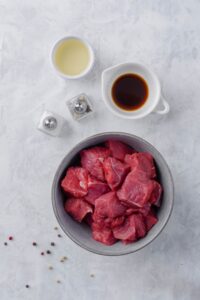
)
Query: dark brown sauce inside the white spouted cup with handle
[{"x": 130, "y": 92}]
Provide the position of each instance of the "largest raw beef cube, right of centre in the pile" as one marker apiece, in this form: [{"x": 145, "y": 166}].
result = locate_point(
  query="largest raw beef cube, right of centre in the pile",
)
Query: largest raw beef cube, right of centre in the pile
[{"x": 136, "y": 190}]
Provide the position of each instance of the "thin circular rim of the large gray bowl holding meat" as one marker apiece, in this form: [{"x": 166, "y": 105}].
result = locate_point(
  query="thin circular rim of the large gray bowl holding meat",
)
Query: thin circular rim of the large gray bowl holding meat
[{"x": 55, "y": 180}]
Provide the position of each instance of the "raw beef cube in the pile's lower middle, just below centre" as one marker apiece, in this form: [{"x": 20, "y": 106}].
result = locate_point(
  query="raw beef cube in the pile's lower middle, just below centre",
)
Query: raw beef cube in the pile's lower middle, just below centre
[{"x": 108, "y": 205}]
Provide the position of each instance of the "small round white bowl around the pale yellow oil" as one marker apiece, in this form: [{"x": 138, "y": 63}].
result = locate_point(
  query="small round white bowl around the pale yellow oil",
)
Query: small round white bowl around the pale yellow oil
[{"x": 91, "y": 54}]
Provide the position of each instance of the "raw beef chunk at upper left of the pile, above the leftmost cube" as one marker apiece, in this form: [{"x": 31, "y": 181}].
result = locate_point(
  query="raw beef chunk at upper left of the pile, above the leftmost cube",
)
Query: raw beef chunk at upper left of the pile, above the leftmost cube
[{"x": 92, "y": 159}]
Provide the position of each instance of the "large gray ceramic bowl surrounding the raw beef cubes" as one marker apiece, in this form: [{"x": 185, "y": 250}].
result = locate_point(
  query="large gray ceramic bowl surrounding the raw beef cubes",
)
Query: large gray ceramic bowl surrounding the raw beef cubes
[{"x": 81, "y": 233}]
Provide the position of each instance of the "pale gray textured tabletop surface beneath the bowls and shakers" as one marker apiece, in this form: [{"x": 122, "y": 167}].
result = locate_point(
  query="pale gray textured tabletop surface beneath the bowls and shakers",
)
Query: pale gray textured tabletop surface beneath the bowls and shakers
[{"x": 161, "y": 34}]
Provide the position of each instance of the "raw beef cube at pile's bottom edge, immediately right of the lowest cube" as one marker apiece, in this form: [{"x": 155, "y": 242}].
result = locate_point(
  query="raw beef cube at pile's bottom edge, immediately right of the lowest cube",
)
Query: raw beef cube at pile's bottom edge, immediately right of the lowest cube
[{"x": 127, "y": 231}]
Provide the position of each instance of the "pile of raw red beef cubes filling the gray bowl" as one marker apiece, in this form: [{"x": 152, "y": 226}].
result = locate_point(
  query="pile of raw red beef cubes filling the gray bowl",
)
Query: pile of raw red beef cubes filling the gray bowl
[{"x": 114, "y": 189}]
